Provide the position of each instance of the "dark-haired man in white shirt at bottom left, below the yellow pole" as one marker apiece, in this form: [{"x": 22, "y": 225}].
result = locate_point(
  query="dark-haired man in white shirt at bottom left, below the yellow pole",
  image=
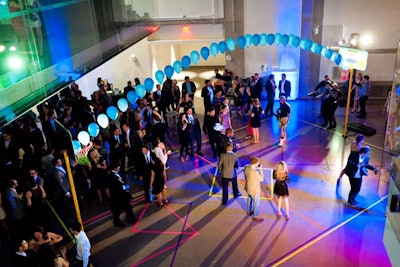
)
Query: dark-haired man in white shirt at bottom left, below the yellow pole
[{"x": 82, "y": 244}]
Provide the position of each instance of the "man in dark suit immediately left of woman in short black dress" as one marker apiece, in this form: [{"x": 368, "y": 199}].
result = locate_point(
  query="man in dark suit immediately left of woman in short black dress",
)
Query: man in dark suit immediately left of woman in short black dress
[{"x": 146, "y": 167}]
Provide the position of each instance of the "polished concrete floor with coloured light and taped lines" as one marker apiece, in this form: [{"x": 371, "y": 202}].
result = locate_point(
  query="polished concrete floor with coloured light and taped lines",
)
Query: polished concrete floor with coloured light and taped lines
[{"x": 196, "y": 230}]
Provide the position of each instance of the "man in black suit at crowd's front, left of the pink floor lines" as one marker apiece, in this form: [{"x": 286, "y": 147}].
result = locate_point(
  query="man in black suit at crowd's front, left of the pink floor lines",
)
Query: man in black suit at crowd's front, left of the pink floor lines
[{"x": 120, "y": 197}]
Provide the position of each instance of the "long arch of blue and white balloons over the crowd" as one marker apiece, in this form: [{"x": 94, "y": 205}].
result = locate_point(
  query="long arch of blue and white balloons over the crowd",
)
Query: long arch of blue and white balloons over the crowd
[{"x": 194, "y": 57}]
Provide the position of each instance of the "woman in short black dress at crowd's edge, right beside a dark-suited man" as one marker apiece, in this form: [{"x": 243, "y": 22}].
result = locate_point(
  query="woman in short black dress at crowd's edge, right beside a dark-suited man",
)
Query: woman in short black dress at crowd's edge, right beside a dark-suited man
[{"x": 159, "y": 178}]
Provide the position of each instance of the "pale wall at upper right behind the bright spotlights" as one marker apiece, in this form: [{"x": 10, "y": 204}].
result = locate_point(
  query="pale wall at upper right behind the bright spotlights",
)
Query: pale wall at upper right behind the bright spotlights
[{"x": 379, "y": 19}]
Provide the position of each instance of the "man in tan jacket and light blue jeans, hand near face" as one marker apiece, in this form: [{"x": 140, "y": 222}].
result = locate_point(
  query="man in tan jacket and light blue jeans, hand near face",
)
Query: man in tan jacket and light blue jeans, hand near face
[{"x": 253, "y": 175}]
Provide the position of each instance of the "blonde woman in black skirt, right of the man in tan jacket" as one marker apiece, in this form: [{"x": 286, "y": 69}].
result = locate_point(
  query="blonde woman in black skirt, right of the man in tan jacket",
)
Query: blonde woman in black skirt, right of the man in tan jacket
[{"x": 281, "y": 175}]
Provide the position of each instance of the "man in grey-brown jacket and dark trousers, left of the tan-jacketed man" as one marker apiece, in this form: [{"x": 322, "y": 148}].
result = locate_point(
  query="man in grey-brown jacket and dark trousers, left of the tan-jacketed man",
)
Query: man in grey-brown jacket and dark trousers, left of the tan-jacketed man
[{"x": 227, "y": 165}]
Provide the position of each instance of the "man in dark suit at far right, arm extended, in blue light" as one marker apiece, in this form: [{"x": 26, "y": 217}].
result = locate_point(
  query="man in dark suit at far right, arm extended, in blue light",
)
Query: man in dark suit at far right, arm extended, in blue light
[{"x": 356, "y": 168}]
